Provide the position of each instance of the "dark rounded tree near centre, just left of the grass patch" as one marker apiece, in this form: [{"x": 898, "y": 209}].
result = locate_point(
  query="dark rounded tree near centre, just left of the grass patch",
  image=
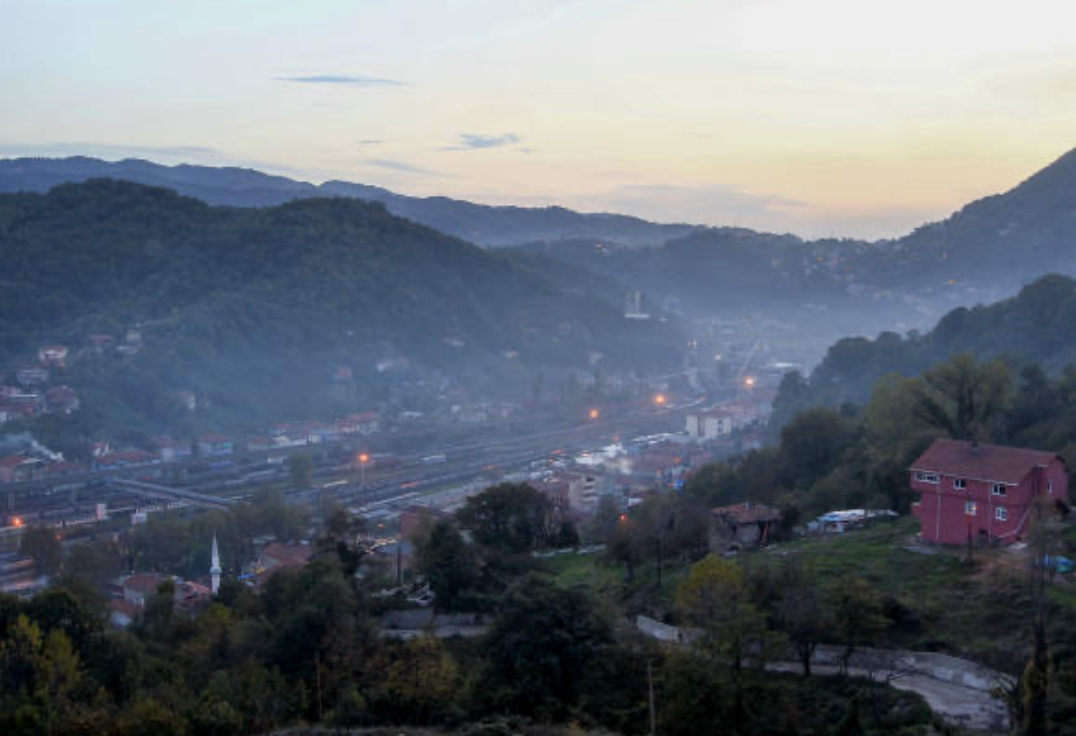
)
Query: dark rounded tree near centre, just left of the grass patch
[{"x": 511, "y": 518}]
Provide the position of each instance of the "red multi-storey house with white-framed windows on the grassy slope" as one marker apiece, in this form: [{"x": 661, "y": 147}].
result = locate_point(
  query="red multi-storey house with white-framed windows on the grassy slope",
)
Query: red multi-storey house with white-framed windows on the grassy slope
[{"x": 983, "y": 492}]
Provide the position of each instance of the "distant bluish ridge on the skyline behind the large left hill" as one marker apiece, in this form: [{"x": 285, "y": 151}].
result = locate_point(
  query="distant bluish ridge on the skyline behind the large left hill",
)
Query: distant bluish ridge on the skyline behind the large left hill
[{"x": 492, "y": 227}]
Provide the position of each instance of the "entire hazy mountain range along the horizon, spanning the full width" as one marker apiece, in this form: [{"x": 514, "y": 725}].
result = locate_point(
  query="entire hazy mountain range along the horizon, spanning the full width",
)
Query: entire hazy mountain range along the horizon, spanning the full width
[{"x": 818, "y": 291}]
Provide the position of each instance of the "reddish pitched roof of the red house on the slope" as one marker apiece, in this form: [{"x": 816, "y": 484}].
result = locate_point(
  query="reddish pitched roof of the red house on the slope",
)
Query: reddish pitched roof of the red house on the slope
[{"x": 982, "y": 462}]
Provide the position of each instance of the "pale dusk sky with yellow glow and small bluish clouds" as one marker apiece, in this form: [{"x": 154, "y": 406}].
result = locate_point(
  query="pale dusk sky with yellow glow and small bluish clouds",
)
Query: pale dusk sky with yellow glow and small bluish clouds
[{"x": 822, "y": 118}]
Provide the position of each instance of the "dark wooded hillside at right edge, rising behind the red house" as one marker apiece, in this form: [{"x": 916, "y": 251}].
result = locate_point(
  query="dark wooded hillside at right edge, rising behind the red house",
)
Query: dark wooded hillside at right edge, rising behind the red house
[{"x": 1039, "y": 325}]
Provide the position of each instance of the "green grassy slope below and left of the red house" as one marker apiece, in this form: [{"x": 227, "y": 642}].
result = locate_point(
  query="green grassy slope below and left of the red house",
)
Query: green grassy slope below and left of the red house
[{"x": 936, "y": 599}]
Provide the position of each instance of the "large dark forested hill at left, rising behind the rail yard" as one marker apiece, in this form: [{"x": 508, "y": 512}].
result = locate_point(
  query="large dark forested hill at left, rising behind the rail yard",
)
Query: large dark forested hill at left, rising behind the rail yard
[{"x": 257, "y": 309}]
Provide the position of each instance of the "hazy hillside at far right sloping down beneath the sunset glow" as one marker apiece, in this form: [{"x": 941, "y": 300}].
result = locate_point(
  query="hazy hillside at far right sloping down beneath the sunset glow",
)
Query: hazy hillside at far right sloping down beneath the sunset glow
[{"x": 985, "y": 252}]
